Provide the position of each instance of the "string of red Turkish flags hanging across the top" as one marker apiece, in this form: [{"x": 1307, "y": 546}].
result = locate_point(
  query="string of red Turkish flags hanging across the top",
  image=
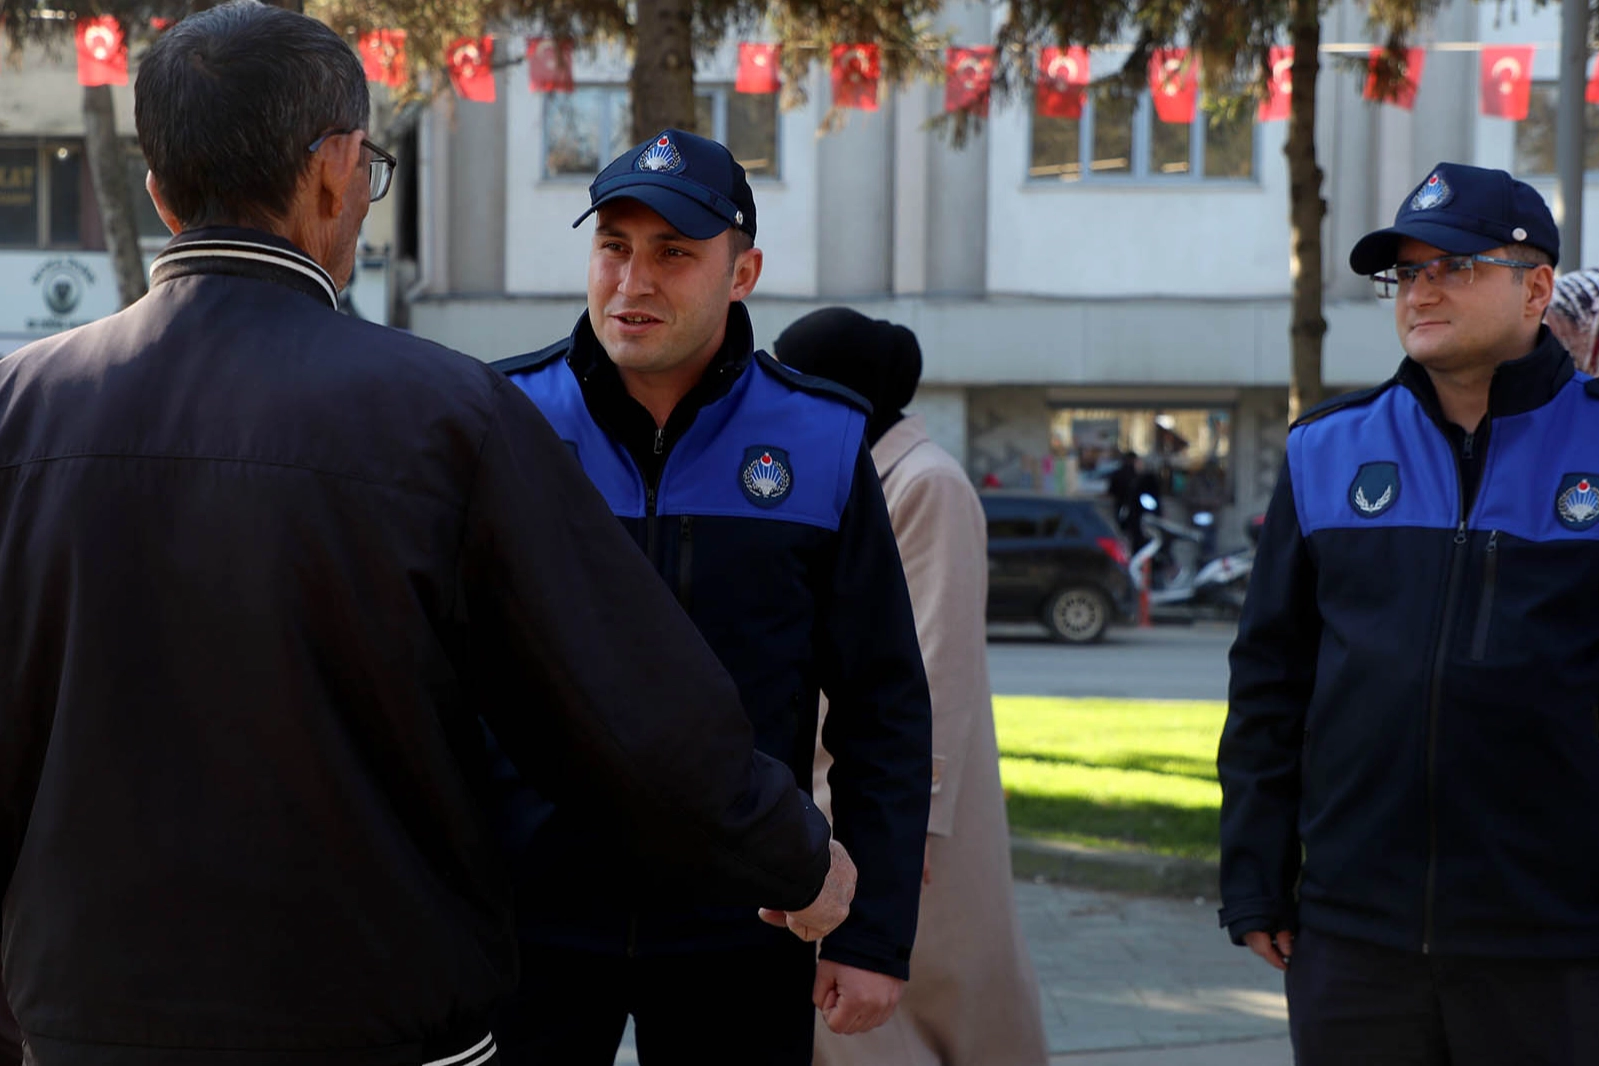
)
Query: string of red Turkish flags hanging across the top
[{"x": 1061, "y": 87}]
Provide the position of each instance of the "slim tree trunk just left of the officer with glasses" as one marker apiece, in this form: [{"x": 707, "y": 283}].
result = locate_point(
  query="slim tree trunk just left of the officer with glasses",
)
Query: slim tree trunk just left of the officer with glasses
[{"x": 1306, "y": 213}]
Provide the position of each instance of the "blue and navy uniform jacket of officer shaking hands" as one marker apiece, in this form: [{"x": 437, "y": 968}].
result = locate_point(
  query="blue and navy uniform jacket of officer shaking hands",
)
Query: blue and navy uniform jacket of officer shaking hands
[{"x": 762, "y": 511}]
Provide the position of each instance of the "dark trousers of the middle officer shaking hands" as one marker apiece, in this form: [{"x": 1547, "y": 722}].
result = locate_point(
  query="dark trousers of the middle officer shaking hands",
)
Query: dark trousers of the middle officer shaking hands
[{"x": 749, "y": 1008}]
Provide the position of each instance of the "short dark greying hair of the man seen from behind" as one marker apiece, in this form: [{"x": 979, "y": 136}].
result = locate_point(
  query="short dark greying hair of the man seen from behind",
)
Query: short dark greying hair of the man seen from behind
[{"x": 229, "y": 100}]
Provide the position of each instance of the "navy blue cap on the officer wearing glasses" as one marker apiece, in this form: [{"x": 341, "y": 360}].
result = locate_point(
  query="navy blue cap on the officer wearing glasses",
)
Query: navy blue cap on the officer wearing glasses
[{"x": 1462, "y": 210}]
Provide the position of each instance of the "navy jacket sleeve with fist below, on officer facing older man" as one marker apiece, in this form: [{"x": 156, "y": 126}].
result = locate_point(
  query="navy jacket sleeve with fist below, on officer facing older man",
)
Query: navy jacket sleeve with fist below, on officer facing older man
[{"x": 879, "y": 731}]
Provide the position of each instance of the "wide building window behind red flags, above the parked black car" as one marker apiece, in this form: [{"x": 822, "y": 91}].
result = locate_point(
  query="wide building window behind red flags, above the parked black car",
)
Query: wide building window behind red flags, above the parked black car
[{"x": 1120, "y": 137}]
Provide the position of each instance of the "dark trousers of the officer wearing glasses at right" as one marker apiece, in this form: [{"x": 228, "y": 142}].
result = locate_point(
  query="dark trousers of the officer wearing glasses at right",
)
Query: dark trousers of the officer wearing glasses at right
[{"x": 1357, "y": 1004}]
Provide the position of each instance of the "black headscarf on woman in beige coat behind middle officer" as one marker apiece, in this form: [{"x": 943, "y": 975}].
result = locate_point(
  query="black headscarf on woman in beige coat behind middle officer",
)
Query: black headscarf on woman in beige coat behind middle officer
[{"x": 872, "y": 357}]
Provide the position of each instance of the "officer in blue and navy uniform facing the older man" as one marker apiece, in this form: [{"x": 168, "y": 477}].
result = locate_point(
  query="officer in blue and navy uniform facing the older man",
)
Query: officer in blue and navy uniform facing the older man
[{"x": 751, "y": 490}]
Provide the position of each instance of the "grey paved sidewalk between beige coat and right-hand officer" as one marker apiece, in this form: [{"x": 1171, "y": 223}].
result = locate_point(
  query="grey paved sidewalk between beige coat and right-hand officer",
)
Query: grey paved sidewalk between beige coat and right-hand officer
[{"x": 1142, "y": 982}]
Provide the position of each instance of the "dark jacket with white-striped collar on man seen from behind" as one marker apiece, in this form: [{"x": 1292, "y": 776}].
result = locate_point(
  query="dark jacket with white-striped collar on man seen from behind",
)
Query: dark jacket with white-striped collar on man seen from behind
[{"x": 265, "y": 568}]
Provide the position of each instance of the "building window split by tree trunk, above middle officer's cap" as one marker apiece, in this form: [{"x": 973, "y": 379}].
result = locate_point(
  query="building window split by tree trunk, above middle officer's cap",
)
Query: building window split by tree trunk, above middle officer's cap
[{"x": 588, "y": 129}]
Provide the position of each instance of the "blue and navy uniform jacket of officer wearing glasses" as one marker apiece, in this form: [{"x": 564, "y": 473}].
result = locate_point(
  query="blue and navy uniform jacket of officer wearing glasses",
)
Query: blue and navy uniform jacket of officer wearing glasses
[{"x": 1411, "y": 757}]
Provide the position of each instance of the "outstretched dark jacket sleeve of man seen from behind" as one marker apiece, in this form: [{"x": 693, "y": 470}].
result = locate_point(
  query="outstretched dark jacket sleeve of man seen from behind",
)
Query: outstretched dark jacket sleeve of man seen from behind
[{"x": 602, "y": 691}]
